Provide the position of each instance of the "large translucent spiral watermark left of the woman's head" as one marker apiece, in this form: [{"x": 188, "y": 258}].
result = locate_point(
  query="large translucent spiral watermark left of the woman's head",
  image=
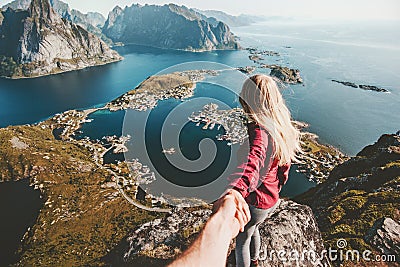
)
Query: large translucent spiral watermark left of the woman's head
[{"x": 185, "y": 156}]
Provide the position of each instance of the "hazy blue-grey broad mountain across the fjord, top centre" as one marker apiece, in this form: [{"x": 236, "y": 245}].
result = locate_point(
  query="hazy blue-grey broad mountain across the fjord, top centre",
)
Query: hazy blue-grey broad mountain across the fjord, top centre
[{"x": 168, "y": 26}]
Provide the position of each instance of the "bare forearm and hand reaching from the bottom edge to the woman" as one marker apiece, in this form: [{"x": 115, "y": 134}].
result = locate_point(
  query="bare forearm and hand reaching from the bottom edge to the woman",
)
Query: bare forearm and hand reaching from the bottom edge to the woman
[{"x": 231, "y": 214}]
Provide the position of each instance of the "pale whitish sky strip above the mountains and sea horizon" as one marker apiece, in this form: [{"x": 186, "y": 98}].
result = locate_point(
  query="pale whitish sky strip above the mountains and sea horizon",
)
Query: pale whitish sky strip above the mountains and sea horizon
[{"x": 340, "y": 9}]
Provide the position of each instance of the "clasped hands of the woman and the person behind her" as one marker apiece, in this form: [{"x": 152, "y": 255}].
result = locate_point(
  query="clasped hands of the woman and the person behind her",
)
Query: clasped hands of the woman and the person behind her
[{"x": 234, "y": 210}]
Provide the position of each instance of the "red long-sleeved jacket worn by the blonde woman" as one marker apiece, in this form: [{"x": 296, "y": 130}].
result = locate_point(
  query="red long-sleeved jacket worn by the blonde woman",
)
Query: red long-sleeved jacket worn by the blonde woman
[{"x": 258, "y": 176}]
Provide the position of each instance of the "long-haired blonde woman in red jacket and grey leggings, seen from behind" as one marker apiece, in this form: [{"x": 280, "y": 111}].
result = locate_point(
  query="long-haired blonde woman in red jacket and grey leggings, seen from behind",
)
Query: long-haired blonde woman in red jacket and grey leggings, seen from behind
[{"x": 263, "y": 164}]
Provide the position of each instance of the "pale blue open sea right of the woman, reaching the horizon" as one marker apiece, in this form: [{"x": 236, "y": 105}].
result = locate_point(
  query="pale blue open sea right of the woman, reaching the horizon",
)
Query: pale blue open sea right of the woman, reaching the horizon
[{"x": 363, "y": 53}]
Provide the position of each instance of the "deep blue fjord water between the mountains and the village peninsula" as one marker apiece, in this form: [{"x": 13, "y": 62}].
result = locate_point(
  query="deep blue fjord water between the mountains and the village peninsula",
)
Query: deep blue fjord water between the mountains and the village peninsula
[{"x": 30, "y": 100}]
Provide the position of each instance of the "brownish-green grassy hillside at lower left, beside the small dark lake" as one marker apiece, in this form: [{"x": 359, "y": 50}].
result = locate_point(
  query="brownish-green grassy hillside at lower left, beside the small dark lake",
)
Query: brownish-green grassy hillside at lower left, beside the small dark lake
[{"x": 83, "y": 217}]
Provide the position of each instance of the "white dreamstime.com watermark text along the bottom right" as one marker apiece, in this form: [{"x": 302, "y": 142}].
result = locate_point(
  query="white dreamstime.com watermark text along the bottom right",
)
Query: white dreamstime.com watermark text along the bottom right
[{"x": 339, "y": 253}]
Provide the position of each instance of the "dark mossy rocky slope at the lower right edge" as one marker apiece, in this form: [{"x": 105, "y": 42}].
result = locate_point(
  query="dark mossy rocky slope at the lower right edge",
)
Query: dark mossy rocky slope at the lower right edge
[{"x": 360, "y": 199}]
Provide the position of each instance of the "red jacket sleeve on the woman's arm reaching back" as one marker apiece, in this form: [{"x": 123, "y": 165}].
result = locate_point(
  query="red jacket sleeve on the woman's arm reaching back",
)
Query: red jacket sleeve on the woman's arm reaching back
[{"x": 247, "y": 174}]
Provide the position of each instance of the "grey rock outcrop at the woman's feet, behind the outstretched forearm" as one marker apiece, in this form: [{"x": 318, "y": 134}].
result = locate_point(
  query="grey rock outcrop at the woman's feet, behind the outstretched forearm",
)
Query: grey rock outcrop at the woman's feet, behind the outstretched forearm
[{"x": 292, "y": 227}]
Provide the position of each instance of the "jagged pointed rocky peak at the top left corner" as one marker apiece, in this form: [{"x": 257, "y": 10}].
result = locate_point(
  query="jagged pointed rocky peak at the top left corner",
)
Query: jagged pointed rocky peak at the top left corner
[{"x": 40, "y": 42}]
